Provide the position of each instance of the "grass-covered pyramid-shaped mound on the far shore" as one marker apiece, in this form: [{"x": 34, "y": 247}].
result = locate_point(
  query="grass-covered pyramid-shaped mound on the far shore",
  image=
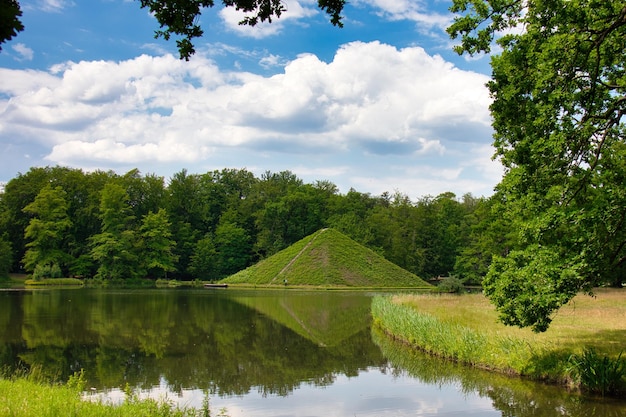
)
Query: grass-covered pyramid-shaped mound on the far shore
[{"x": 327, "y": 258}]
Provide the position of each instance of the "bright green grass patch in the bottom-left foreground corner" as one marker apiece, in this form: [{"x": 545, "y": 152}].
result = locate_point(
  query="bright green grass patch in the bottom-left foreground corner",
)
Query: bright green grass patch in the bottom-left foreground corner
[{"x": 27, "y": 397}]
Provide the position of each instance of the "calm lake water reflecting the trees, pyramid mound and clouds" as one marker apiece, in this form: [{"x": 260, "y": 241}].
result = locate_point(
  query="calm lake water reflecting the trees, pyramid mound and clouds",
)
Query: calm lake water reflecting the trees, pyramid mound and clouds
[{"x": 263, "y": 353}]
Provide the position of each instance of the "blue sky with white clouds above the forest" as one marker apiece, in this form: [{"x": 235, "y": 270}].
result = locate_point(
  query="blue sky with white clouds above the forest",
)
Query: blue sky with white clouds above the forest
[{"x": 380, "y": 105}]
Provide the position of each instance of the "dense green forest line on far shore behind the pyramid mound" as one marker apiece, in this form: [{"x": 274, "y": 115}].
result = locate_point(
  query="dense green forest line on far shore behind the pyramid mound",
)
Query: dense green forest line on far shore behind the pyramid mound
[{"x": 58, "y": 221}]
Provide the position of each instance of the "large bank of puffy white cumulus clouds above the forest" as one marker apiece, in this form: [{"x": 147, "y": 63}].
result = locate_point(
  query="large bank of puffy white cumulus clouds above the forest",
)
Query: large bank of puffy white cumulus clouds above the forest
[{"x": 375, "y": 115}]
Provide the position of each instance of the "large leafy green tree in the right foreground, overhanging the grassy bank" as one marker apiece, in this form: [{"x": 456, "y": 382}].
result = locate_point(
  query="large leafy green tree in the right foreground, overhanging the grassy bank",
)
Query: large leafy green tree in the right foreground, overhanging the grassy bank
[{"x": 559, "y": 101}]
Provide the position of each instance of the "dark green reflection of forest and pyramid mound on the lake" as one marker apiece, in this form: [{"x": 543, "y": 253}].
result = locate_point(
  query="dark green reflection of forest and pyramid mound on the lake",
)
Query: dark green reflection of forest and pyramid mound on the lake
[{"x": 192, "y": 339}]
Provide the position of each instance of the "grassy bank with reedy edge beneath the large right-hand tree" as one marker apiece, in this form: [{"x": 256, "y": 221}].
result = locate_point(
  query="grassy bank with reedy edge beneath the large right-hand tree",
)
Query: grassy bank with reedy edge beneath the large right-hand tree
[{"x": 586, "y": 337}]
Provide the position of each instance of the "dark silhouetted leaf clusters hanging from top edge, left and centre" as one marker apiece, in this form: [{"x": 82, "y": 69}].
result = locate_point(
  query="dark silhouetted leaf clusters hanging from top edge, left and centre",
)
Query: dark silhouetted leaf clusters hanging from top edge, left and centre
[{"x": 180, "y": 17}]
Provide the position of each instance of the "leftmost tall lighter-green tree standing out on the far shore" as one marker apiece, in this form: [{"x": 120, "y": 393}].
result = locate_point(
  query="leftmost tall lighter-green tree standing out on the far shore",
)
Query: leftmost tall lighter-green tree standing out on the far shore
[{"x": 46, "y": 230}]
